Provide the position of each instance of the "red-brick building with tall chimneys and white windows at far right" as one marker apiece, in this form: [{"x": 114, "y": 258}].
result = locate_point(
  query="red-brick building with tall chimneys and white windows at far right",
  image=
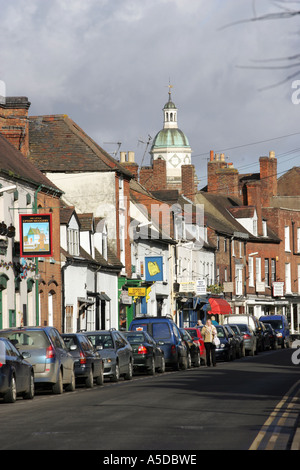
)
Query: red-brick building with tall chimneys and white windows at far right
[{"x": 266, "y": 280}]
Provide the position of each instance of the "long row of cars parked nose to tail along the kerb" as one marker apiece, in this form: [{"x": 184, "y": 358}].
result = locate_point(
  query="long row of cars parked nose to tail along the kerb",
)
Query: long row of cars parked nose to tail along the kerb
[{"x": 41, "y": 357}]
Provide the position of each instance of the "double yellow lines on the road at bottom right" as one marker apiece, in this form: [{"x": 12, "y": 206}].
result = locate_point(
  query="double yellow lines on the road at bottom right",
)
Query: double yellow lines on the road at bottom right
[{"x": 273, "y": 430}]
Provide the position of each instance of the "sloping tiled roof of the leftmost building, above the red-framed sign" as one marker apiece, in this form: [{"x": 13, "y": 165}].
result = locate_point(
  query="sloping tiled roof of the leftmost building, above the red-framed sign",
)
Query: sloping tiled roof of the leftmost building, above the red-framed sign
[{"x": 13, "y": 163}]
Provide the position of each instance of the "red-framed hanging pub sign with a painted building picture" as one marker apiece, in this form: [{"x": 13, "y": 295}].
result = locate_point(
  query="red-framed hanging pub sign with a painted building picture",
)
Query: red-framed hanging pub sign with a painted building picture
[{"x": 35, "y": 235}]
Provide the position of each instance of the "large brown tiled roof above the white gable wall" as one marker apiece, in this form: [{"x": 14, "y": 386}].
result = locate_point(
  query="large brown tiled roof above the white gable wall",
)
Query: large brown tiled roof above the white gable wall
[{"x": 58, "y": 144}]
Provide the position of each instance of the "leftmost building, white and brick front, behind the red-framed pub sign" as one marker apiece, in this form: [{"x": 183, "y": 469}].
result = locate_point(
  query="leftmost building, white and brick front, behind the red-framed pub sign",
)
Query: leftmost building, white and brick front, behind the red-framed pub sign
[{"x": 30, "y": 287}]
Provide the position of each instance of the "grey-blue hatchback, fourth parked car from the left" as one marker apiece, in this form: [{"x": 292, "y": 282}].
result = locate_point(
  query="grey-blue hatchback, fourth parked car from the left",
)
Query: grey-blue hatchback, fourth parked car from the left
[{"x": 115, "y": 351}]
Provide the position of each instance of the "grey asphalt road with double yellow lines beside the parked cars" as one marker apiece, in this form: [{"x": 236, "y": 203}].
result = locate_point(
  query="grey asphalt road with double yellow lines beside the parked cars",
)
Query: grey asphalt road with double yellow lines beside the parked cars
[{"x": 249, "y": 403}]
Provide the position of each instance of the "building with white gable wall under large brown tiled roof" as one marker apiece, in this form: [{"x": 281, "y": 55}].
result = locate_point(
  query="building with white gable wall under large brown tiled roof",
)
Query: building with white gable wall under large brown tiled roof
[{"x": 92, "y": 182}]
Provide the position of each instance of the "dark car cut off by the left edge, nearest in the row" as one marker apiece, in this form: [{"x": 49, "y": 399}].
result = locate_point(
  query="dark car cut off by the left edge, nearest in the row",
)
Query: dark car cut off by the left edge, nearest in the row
[{"x": 16, "y": 374}]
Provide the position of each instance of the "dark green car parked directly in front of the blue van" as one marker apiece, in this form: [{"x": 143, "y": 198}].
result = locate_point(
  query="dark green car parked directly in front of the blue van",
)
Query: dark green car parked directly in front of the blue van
[{"x": 146, "y": 353}]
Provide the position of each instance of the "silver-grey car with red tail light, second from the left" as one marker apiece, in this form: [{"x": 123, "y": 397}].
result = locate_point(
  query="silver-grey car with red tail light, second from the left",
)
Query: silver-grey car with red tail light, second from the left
[{"x": 44, "y": 347}]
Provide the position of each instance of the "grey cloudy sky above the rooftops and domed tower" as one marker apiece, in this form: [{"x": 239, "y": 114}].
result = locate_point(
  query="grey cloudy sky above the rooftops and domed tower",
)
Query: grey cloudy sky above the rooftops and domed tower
[{"x": 108, "y": 63}]
